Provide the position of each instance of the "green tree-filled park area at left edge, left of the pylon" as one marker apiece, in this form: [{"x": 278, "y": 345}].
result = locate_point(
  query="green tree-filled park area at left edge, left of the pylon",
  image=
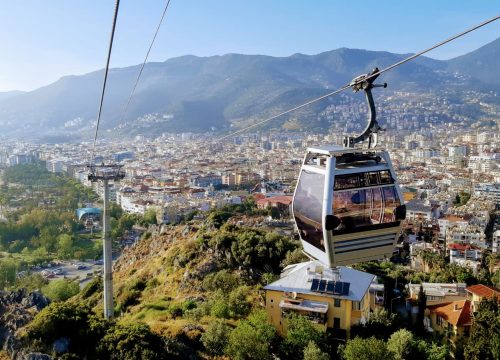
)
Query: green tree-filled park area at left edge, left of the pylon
[{"x": 40, "y": 221}]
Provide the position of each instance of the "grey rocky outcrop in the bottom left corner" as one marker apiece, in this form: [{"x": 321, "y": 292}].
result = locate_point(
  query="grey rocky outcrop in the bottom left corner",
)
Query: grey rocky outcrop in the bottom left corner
[{"x": 17, "y": 309}]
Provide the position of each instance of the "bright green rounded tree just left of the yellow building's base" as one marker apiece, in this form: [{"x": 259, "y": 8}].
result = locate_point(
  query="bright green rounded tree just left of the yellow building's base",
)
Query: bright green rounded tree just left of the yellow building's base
[{"x": 252, "y": 338}]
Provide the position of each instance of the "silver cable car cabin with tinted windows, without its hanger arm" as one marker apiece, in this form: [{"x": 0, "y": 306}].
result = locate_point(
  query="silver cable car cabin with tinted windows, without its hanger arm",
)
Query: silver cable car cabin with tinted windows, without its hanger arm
[{"x": 347, "y": 205}]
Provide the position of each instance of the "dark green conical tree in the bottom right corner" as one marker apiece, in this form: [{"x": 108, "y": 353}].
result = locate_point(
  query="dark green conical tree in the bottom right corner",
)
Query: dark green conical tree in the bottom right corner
[{"x": 484, "y": 338}]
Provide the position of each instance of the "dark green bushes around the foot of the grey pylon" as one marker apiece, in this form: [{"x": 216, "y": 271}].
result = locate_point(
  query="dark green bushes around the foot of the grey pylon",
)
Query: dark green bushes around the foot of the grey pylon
[{"x": 90, "y": 336}]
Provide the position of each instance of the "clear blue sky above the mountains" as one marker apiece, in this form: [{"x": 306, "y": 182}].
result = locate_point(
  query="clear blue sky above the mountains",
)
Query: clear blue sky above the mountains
[{"x": 43, "y": 40}]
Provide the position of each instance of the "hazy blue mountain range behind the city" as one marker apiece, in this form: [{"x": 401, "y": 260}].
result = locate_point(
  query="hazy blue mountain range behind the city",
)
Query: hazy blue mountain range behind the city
[{"x": 191, "y": 93}]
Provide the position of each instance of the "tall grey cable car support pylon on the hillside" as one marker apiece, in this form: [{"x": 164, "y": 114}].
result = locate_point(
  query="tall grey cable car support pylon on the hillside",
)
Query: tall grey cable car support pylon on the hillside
[{"x": 105, "y": 173}]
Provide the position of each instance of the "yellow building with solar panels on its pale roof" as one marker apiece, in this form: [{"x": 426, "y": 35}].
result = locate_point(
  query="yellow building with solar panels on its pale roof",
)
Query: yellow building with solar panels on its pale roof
[{"x": 333, "y": 298}]
